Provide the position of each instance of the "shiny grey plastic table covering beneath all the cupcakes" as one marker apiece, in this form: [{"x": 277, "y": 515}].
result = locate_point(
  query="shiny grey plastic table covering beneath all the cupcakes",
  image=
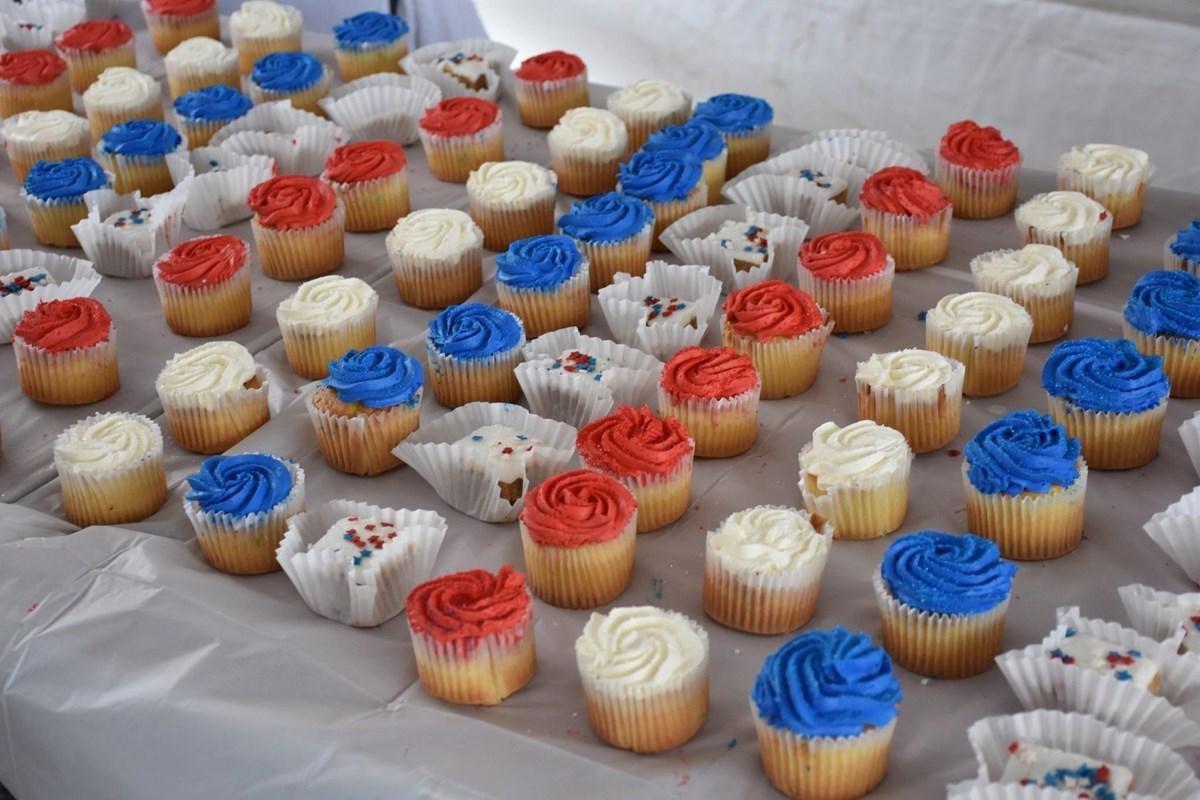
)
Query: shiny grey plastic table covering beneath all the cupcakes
[{"x": 129, "y": 669}]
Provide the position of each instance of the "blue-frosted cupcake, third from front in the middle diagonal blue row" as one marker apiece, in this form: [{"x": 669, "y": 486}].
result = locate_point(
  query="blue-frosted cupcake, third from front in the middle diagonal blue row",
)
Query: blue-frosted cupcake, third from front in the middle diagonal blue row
[{"x": 473, "y": 351}]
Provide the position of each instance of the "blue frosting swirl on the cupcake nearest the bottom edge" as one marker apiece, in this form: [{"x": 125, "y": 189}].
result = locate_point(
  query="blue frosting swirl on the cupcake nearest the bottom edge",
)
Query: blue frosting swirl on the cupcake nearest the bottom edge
[{"x": 827, "y": 684}]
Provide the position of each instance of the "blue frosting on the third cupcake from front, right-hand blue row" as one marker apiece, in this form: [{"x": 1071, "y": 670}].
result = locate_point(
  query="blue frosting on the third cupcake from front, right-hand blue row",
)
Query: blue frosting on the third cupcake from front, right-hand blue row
[{"x": 1023, "y": 452}]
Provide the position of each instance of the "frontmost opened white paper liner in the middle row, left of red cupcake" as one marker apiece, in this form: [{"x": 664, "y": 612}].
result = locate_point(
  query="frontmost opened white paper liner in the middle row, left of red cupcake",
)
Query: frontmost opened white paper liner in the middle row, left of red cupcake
[{"x": 328, "y": 585}]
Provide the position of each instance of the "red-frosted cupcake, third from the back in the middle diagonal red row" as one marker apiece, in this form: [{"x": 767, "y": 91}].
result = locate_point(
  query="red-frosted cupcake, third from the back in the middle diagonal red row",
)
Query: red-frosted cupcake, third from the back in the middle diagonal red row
[{"x": 371, "y": 181}]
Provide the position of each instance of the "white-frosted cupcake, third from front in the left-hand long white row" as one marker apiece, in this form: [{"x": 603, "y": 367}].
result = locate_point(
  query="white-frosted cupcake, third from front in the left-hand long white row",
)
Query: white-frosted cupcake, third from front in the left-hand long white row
[{"x": 323, "y": 320}]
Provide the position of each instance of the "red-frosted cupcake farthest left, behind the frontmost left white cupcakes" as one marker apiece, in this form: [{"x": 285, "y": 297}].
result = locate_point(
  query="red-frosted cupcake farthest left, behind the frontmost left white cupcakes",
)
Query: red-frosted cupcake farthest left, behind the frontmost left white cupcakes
[{"x": 67, "y": 353}]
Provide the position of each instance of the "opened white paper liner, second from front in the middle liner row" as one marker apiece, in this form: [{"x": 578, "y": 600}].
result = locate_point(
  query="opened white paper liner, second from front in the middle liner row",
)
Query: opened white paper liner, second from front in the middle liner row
[{"x": 472, "y": 485}]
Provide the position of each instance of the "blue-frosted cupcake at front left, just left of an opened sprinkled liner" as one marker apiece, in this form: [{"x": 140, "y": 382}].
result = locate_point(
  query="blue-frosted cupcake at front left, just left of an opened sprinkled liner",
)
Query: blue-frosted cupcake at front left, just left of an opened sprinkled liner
[{"x": 239, "y": 507}]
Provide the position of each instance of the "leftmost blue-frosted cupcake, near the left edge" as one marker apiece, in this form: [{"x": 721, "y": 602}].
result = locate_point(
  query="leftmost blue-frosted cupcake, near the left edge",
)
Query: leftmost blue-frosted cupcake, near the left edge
[{"x": 55, "y": 191}]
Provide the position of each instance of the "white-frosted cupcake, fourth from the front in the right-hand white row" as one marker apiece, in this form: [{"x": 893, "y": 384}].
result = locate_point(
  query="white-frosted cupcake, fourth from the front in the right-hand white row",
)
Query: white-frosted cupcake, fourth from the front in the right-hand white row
[{"x": 917, "y": 393}]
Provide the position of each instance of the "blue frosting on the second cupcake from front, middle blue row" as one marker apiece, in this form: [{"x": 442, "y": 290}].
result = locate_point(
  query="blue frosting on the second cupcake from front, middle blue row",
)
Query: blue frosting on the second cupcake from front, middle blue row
[{"x": 377, "y": 377}]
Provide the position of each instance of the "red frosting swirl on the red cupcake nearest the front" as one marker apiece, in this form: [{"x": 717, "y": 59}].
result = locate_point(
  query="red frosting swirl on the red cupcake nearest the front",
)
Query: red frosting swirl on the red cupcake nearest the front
[{"x": 465, "y": 607}]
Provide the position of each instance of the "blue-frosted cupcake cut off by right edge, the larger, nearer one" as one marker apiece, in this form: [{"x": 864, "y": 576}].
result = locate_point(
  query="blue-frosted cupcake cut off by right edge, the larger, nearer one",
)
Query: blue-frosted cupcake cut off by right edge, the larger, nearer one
[{"x": 1163, "y": 318}]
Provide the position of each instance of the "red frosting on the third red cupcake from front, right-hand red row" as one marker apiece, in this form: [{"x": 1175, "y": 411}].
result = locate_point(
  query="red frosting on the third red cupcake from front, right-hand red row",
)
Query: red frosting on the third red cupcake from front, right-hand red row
[{"x": 633, "y": 442}]
